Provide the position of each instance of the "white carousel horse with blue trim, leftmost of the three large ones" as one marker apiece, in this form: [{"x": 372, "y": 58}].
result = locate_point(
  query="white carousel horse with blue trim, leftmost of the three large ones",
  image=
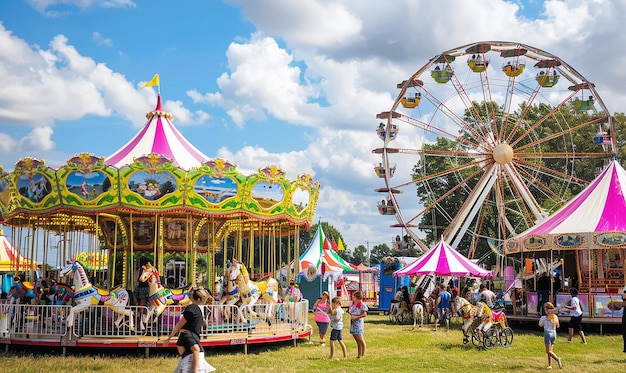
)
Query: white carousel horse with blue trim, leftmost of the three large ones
[{"x": 86, "y": 295}]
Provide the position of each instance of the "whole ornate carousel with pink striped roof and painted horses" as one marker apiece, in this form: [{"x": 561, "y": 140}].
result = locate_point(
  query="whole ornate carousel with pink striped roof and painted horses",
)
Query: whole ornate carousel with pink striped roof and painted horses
[{"x": 155, "y": 218}]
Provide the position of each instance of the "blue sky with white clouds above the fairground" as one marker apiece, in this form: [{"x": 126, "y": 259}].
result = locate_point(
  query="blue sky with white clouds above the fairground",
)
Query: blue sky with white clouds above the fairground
[{"x": 295, "y": 84}]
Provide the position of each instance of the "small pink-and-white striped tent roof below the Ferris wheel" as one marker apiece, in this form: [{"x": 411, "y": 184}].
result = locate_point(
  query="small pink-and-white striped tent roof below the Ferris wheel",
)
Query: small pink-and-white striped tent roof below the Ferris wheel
[{"x": 443, "y": 260}]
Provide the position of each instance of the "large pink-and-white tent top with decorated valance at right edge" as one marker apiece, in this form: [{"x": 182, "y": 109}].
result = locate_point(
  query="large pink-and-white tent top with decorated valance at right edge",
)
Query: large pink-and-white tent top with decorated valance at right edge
[{"x": 599, "y": 208}]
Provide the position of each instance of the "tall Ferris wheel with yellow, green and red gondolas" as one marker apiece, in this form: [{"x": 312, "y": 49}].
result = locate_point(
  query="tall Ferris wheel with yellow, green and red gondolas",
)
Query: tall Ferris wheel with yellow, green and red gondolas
[{"x": 486, "y": 140}]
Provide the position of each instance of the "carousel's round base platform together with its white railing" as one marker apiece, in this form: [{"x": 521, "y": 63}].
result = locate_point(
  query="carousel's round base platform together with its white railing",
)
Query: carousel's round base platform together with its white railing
[{"x": 46, "y": 326}]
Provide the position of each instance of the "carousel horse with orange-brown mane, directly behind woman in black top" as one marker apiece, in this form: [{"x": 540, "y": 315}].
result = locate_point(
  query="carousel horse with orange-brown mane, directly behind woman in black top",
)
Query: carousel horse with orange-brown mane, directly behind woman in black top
[{"x": 160, "y": 297}]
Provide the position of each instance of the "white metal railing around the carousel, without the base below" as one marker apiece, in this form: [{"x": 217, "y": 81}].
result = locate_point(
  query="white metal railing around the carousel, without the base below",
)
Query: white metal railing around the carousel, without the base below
[{"x": 49, "y": 321}]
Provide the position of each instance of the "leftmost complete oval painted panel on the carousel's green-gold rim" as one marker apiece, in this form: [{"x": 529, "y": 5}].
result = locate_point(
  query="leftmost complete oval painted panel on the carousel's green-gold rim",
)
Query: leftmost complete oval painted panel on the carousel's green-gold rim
[{"x": 36, "y": 185}]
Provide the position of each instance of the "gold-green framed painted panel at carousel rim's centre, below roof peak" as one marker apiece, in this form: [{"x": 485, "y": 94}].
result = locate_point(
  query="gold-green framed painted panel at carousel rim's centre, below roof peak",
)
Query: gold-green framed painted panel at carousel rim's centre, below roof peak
[{"x": 152, "y": 182}]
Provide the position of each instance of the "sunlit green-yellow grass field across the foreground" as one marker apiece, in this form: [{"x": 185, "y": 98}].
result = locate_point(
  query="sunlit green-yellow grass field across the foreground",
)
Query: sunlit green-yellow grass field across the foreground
[{"x": 390, "y": 348}]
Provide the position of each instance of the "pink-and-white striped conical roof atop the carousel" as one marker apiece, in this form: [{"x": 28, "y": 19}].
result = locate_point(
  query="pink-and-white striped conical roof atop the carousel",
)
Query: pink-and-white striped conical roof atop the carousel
[{"x": 159, "y": 136}]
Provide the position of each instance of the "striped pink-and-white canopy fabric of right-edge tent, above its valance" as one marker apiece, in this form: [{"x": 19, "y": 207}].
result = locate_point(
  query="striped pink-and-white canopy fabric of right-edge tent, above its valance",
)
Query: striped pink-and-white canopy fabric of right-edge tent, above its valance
[{"x": 600, "y": 207}]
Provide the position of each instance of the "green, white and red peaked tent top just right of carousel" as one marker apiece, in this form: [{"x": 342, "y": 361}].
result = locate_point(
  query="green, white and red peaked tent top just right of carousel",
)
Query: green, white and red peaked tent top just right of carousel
[{"x": 319, "y": 258}]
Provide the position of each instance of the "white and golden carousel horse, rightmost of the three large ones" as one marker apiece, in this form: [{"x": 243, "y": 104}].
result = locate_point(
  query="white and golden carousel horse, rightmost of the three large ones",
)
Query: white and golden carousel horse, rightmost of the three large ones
[{"x": 250, "y": 292}]
